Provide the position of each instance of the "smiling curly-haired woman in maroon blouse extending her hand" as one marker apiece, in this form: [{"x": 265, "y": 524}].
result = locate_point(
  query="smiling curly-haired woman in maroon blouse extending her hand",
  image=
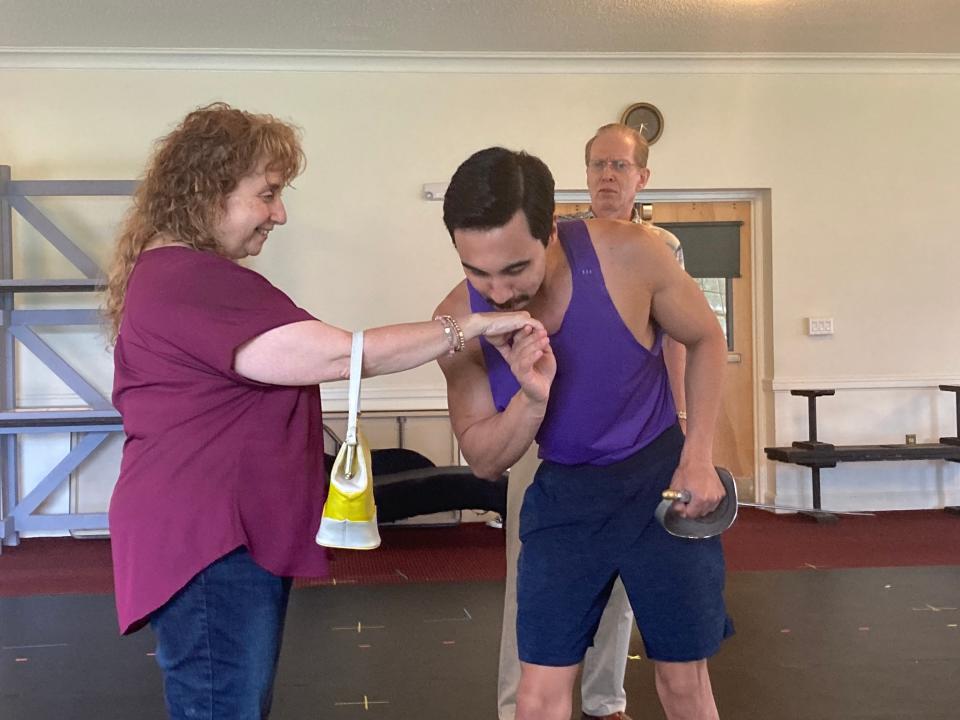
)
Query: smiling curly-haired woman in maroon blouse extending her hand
[{"x": 216, "y": 378}]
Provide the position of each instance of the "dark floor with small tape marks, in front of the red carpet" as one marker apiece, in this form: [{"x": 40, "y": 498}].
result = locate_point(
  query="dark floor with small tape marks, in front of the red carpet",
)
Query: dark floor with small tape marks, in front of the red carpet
[{"x": 817, "y": 644}]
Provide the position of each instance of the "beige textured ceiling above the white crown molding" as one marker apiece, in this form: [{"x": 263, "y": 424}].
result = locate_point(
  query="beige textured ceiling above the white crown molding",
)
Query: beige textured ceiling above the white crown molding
[{"x": 489, "y": 26}]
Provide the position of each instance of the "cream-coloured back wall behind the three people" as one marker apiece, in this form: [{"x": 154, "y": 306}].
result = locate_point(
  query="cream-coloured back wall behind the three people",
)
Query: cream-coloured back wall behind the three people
[{"x": 861, "y": 169}]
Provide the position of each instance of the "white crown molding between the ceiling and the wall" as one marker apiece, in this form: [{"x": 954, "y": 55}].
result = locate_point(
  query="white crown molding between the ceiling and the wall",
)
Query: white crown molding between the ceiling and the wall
[{"x": 474, "y": 62}]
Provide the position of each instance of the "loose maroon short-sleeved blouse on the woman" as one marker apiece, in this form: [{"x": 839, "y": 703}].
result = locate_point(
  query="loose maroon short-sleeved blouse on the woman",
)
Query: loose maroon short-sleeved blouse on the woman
[{"x": 212, "y": 460}]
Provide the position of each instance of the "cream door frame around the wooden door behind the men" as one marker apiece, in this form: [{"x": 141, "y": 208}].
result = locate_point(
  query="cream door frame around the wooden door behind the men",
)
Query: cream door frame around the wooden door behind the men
[{"x": 761, "y": 303}]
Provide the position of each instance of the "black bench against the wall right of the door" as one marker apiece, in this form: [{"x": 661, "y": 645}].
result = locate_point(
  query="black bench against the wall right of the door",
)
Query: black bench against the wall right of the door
[{"x": 814, "y": 454}]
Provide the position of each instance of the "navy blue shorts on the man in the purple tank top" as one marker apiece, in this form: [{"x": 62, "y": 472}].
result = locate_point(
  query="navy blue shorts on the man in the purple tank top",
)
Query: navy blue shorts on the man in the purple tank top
[{"x": 582, "y": 526}]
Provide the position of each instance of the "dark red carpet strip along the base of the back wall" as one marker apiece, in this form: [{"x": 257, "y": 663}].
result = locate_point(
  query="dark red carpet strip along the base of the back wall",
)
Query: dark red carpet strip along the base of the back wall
[{"x": 472, "y": 551}]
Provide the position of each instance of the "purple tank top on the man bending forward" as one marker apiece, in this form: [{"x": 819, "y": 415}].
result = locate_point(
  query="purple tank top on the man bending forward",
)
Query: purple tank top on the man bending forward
[{"x": 611, "y": 395}]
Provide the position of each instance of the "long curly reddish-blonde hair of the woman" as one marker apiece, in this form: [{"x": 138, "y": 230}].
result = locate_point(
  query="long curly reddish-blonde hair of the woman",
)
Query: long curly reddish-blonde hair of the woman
[{"x": 188, "y": 178}]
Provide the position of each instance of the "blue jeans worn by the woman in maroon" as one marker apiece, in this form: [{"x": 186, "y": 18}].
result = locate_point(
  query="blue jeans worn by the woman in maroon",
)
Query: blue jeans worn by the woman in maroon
[{"x": 218, "y": 641}]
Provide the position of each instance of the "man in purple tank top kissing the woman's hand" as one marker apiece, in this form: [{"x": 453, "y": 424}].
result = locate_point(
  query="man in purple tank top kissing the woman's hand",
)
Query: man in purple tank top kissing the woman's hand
[{"x": 592, "y": 389}]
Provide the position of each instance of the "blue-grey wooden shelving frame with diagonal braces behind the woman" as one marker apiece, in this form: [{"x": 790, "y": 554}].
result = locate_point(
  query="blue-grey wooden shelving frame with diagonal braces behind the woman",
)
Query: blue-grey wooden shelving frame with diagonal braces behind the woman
[{"x": 89, "y": 426}]
